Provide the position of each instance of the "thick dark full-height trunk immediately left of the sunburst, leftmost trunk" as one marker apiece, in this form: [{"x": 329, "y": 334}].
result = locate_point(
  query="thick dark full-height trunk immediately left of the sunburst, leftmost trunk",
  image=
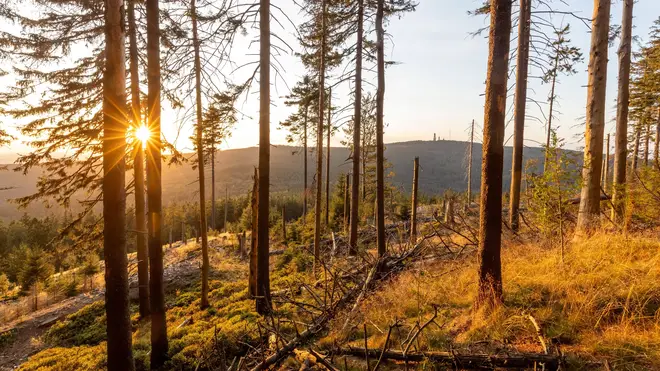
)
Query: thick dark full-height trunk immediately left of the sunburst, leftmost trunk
[{"x": 119, "y": 346}]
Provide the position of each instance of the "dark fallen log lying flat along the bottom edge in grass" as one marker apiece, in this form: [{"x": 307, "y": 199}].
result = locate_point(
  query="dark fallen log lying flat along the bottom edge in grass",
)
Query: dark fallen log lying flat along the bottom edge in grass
[{"x": 461, "y": 361}]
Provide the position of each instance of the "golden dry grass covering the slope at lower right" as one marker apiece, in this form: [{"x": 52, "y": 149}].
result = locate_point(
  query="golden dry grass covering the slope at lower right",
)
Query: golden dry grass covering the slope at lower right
[{"x": 600, "y": 303}]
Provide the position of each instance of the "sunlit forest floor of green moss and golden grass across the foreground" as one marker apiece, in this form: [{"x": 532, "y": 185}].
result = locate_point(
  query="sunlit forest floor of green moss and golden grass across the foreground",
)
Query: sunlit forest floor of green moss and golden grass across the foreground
[{"x": 596, "y": 308}]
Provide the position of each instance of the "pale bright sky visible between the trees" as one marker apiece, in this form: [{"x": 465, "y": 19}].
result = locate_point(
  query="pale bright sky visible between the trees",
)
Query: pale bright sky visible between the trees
[{"x": 437, "y": 84}]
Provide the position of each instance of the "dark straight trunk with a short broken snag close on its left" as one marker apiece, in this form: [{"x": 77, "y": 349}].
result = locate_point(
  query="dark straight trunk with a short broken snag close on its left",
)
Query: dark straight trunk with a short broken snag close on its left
[{"x": 263, "y": 275}]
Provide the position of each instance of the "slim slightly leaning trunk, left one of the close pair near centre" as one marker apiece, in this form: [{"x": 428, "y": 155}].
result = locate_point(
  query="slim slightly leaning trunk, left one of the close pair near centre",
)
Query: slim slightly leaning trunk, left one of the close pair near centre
[{"x": 357, "y": 127}]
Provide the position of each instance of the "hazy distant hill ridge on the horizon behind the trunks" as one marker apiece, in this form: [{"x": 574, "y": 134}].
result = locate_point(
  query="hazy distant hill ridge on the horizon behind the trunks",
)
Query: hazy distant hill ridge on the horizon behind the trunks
[{"x": 443, "y": 166}]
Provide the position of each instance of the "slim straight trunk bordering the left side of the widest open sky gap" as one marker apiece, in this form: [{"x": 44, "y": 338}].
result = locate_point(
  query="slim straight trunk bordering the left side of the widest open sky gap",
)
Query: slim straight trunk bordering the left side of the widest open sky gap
[{"x": 380, "y": 147}]
